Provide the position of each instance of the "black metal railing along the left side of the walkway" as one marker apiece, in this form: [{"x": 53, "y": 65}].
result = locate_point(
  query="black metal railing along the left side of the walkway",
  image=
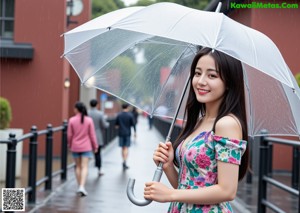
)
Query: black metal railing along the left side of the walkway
[{"x": 33, "y": 137}]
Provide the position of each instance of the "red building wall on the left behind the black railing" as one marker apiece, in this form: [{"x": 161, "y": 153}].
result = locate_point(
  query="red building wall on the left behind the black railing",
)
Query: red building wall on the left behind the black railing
[{"x": 35, "y": 88}]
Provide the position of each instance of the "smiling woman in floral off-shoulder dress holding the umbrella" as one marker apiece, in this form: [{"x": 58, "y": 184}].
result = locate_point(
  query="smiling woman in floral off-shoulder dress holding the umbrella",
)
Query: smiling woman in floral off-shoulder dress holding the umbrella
[{"x": 211, "y": 150}]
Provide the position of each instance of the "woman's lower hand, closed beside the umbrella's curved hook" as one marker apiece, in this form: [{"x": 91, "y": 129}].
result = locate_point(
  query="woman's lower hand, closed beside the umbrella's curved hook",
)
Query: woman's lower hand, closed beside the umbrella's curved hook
[{"x": 158, "y": 192}]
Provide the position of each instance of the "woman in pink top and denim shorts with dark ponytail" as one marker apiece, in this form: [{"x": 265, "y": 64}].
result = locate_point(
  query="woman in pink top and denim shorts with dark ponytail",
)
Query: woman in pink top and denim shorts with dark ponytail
[{"x": 82, "y": 142}]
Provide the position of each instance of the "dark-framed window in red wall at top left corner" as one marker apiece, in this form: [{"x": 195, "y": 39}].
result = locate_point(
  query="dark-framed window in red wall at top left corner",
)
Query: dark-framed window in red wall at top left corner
[{"x": 7, "y": 8}]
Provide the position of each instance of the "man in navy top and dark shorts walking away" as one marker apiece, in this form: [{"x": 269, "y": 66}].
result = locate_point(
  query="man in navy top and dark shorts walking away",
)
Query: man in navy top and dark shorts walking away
[{"x": 124, "y": 123}]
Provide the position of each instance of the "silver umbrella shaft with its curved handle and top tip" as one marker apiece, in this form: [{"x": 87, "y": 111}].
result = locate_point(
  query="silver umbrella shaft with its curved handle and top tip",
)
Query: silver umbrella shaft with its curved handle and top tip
[{"x": 159, "y": 170}]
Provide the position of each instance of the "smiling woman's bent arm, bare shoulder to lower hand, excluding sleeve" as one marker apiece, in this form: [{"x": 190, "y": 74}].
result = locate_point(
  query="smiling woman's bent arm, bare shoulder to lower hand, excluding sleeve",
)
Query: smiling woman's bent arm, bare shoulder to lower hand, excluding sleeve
[{"x": 224, "y": 190}]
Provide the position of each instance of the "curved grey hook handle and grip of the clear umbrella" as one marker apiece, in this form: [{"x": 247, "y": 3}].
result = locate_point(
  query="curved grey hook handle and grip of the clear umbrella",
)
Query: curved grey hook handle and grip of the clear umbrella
[{"x": 130, "y": 188}]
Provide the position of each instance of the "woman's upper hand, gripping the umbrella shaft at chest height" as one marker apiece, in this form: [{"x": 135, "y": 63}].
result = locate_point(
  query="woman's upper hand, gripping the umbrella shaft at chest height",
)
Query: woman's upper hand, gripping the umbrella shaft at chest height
[{"x": 165, "y": 154}]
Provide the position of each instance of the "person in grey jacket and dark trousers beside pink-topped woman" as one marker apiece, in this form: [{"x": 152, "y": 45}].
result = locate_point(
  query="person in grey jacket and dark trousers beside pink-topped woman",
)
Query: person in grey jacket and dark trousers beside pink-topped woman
[{"x": 100, "y": 124}]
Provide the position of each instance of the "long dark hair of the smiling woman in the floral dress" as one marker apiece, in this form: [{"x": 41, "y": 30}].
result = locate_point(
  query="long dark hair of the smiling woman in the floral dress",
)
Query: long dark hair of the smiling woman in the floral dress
[{"x": 231, "y": 73}]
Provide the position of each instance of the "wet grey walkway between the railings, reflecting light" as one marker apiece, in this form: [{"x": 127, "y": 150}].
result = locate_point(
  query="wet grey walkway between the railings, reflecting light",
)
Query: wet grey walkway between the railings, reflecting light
[{"x": 108, "y": 192}]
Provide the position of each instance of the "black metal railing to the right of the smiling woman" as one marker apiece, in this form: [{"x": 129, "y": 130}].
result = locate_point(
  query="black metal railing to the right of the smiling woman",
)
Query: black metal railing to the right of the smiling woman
[{"x": 265, "y": 173}]
